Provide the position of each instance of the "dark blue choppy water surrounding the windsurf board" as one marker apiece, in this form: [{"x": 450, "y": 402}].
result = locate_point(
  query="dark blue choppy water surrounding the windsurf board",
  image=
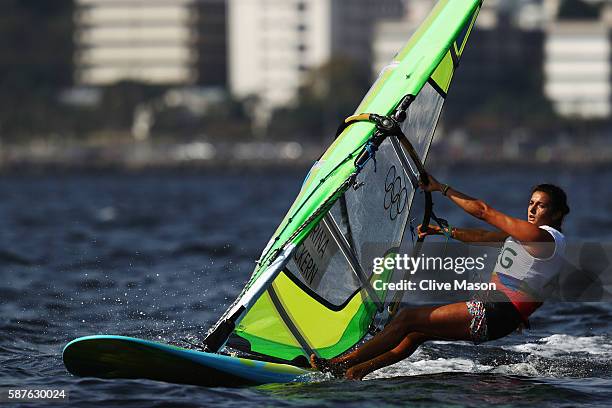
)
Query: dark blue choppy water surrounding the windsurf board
[{"x": 160, "y": 255}]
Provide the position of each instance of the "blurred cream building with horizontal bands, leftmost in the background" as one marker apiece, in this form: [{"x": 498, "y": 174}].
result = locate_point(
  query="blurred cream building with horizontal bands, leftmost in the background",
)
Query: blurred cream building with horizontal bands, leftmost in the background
[{"x": 143, "y": 40}]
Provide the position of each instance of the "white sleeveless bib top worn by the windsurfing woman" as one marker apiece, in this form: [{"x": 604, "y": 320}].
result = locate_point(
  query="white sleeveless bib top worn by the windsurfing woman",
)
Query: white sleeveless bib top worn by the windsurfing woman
[{"x": 537, "y": 275}]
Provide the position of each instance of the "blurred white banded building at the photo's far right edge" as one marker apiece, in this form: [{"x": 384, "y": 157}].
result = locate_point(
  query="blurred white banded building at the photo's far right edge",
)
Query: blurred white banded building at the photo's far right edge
[{"x": 577, "y": 68}]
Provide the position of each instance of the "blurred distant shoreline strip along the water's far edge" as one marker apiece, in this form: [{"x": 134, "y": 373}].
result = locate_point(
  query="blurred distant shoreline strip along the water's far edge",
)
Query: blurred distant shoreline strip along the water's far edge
[{"x": 249, "y": 155}]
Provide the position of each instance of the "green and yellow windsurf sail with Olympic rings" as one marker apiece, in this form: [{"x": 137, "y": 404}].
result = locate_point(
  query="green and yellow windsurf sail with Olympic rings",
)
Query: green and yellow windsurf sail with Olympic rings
[{"x": 313, "y": 290}]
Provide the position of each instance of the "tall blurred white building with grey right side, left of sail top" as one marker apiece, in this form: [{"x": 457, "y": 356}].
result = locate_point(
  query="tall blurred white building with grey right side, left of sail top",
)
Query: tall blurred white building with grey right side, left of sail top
[{"x": 273, "y": 43}]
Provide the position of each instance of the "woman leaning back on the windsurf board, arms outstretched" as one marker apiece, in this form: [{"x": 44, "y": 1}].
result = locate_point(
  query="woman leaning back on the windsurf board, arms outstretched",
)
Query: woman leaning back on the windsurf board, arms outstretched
[{"x": 529, "y": 260}]
